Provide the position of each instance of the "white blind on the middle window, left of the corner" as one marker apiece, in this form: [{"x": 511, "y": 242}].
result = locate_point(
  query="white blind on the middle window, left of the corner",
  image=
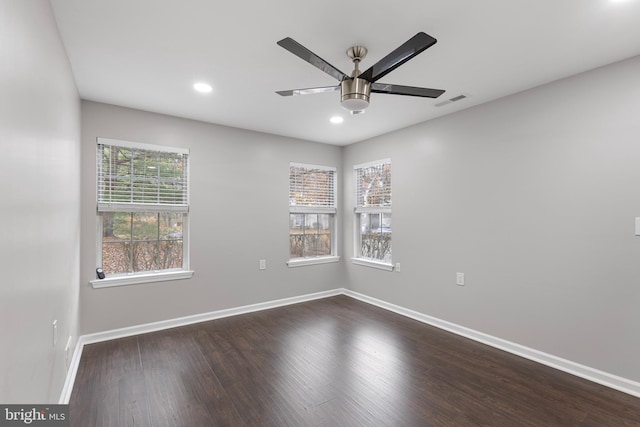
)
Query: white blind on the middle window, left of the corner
[{"x": 312, "y": 188}]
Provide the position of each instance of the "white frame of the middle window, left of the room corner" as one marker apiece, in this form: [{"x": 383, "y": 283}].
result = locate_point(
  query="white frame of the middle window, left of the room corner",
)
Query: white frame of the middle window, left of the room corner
[{"x": 332, "y": 210}]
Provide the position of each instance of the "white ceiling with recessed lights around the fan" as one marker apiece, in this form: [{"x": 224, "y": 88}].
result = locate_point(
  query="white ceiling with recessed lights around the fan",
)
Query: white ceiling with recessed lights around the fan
[{"x": 147, "y": 54}]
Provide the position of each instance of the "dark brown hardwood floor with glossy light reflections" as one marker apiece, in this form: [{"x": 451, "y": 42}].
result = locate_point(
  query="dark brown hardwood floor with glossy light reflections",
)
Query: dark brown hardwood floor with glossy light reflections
[{"x": 330, "y": 362}]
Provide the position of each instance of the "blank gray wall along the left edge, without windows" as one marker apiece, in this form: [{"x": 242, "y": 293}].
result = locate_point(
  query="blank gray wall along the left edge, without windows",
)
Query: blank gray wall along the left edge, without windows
[{"x": 39, "y": 171}]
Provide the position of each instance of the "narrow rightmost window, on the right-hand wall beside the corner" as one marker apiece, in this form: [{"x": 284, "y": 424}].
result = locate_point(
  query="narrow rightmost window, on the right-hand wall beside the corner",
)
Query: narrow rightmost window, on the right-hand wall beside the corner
[{"x": 373, "y": 214}]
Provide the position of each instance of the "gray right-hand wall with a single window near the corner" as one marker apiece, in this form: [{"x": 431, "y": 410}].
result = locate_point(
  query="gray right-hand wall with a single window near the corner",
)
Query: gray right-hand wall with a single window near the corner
[{"x": 533, "y": 197}]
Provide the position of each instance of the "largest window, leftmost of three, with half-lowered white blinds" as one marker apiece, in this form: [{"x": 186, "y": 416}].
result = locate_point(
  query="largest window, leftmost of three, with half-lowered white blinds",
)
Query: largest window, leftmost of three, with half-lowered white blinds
[{"x": 143, "y": 209}]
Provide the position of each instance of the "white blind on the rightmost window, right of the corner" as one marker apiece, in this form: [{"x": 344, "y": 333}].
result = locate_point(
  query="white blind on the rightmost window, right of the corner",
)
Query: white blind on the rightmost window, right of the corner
[{"x": 373, "y": 185}]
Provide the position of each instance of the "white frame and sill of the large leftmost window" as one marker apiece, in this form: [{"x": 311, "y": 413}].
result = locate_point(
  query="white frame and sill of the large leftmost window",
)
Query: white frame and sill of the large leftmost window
[{"x": 146, "y": 276}]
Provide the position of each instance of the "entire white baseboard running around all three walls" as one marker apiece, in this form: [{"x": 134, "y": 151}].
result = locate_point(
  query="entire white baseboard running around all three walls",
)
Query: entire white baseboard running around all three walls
[{"x": 604, "y": 378}]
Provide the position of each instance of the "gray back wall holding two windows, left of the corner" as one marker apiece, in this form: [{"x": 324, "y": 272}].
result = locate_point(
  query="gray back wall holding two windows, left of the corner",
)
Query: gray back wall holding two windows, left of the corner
[{"x": 239, "y": 215}]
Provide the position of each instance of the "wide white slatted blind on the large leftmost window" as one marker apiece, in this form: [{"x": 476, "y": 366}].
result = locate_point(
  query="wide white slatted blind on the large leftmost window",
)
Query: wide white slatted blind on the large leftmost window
[{"x": 134, "y": 177}]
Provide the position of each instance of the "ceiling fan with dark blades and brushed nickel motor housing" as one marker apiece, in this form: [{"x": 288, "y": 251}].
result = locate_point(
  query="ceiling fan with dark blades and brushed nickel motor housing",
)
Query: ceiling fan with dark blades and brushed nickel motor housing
[{"x": 356, "y": 89}]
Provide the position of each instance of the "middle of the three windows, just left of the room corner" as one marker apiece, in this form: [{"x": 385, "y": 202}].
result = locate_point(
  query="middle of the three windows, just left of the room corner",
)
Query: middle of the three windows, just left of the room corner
[{"x": 312, "y": 211}]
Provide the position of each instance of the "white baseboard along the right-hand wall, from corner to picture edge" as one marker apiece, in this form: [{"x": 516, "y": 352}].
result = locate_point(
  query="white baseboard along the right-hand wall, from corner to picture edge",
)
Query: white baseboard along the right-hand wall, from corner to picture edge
[{"x": 604, "y": 378}]
